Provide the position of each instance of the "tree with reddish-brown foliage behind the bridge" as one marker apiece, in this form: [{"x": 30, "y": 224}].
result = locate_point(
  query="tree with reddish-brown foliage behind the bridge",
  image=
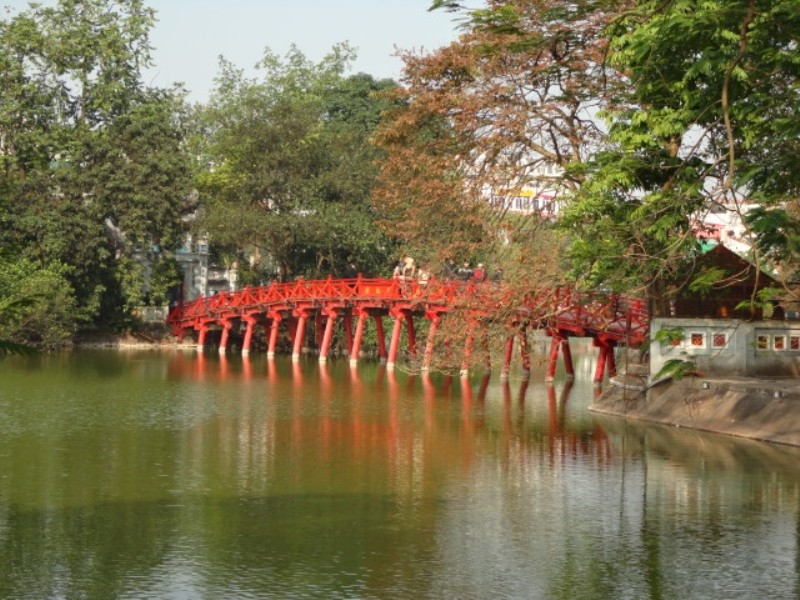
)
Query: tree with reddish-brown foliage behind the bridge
[{"x": 510, "y": 105}]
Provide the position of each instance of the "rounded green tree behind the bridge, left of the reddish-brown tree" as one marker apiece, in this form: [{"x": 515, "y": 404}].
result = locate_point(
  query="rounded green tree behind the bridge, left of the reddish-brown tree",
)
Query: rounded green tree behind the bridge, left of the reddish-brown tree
[{"x": 291, "y": 166}]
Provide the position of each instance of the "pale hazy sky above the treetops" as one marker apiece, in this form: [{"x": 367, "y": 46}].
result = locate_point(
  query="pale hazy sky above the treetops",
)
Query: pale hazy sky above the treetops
[{"x": 191, "y": 35}]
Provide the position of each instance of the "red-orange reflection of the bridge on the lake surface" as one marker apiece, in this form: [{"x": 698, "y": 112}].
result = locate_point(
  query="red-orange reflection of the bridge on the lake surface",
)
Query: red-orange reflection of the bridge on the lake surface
[{"x": 508, "y": 423}]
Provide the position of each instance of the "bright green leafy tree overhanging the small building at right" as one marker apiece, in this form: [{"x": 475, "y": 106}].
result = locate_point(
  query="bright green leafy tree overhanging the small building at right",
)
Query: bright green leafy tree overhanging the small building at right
[{"x": 709, "y": 117}]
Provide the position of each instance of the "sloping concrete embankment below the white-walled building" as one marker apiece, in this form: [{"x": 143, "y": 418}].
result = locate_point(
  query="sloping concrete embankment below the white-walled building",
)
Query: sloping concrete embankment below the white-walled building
[{"x": 759, "y": 409}]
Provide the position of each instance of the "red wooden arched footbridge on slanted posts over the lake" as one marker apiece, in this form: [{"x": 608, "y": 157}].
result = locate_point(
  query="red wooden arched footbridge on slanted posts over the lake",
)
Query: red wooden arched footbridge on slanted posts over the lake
[{"x": 608, "y": 319}]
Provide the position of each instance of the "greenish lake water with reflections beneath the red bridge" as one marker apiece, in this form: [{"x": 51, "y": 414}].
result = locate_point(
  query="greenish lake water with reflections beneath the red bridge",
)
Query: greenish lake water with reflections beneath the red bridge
[{"x": 168, "y": 474}]
